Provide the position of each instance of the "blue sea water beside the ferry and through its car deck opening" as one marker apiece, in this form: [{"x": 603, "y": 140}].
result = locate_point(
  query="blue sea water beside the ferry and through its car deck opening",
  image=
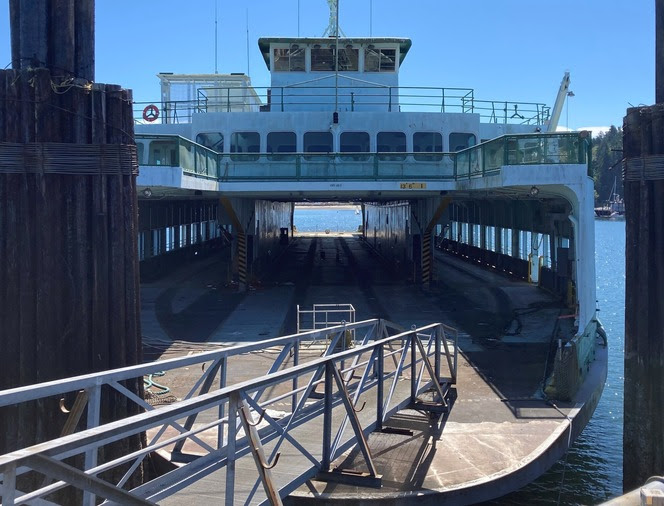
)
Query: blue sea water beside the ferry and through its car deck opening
[{"x": 592, "y": 471}]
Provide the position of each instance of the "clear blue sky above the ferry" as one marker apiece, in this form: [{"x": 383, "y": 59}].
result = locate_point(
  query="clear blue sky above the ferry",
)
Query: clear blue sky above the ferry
[{"x": 505, "y": 49}]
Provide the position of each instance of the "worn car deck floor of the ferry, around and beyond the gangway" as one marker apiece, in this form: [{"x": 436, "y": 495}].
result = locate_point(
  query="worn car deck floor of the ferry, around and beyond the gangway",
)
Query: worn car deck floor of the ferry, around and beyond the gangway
[{"x": 500, "y": 433}]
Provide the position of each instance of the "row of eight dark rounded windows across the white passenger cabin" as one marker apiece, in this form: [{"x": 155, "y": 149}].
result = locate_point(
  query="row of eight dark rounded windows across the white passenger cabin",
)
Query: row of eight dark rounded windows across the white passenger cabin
[{"x": 393, "y": 145}]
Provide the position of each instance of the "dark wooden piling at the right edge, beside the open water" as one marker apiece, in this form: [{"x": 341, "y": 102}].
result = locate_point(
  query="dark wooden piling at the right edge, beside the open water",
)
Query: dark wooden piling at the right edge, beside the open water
[{"x": 643, "y": 440}]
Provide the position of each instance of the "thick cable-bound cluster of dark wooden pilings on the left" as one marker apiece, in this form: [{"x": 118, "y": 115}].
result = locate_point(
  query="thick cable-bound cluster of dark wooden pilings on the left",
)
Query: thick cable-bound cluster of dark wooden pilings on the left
[{"x": 69, "y": 288}]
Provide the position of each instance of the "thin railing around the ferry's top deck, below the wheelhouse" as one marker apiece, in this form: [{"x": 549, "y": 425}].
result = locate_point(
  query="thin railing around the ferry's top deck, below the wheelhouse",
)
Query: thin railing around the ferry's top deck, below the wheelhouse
[{"x": 356, "y": 98}]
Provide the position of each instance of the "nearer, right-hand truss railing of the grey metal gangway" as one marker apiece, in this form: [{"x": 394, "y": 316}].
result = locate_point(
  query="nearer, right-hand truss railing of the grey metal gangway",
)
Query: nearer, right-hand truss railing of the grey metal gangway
[{"x": 46, "y": 458}]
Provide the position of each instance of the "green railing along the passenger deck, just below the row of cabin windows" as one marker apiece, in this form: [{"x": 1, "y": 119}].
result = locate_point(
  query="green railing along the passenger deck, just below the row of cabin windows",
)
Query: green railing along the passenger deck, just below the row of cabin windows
[{"x": 481, "y": 160}]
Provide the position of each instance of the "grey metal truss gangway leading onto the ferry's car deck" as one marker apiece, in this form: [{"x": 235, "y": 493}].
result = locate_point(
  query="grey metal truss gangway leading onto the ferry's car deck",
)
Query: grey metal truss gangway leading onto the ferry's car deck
[{"x": 386, "y": 370}]
